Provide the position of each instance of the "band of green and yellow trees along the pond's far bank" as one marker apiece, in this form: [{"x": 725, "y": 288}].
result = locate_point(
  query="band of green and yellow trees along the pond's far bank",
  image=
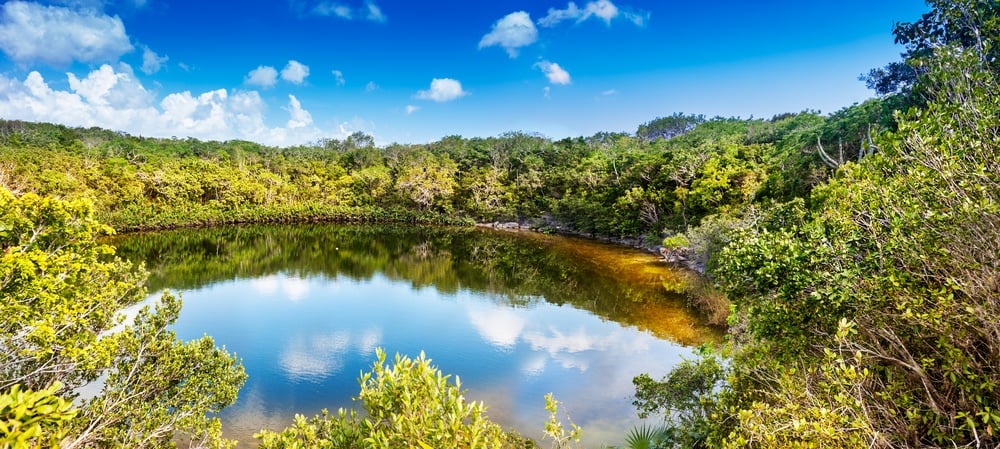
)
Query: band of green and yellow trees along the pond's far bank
[{"x": 647, "y": 184}]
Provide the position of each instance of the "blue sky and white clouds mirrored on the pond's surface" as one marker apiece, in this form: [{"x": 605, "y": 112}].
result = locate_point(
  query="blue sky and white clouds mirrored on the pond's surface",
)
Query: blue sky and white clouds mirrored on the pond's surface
[{"x": 304, "y": 342}]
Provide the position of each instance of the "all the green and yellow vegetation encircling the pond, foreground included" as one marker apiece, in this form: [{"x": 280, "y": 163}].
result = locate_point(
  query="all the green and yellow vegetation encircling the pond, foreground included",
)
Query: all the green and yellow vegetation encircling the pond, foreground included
[{"x": 859, "y": 252}]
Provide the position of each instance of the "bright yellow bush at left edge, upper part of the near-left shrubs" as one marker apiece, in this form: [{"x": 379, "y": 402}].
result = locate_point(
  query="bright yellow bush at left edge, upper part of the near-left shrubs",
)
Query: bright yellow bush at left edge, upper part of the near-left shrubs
[{"x": 59, "y": 291}]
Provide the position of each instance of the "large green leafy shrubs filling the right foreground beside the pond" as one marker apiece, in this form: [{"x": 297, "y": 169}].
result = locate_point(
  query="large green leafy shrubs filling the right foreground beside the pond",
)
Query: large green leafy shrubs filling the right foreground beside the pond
[{"x": 898, "y": 260}]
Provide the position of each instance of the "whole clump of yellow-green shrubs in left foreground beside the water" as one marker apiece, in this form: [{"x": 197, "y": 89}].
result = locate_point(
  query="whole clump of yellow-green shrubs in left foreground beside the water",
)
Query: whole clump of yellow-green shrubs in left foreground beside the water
[{"x": 63, "y": 294}]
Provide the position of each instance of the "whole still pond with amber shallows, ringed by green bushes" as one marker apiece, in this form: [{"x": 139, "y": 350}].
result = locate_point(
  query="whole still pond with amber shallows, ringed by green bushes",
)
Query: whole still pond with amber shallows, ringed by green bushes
[{"x": 513, "y": 315}]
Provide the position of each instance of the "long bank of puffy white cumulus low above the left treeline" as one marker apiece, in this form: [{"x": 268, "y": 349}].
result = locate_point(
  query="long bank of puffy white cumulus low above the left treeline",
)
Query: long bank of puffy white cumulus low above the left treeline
[{"x": 113, "y": 98}]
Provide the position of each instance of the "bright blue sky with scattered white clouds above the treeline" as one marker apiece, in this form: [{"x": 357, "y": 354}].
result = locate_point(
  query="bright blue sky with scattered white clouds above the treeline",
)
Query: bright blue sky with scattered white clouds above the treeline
[{"x": 293, "y": 71}]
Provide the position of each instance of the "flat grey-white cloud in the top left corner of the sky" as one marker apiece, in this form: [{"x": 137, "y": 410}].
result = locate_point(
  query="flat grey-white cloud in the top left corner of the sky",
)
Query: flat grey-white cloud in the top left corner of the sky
[{"x": 57, "y": 35}]
